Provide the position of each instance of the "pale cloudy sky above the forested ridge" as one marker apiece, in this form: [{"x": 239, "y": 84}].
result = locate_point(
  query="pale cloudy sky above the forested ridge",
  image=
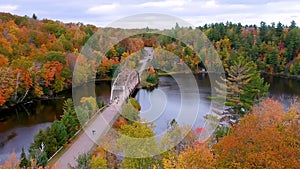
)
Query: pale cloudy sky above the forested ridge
[{"x": 196, "y": 12}]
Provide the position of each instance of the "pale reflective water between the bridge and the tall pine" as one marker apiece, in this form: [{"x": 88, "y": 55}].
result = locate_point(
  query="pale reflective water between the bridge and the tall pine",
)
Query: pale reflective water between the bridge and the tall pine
[{"x": 162, "y": 113}]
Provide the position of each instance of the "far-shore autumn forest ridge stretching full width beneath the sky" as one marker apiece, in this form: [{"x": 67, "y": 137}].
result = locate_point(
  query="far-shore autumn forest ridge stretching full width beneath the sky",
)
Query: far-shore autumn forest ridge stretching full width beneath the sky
[{"x": 37, "y": 57}]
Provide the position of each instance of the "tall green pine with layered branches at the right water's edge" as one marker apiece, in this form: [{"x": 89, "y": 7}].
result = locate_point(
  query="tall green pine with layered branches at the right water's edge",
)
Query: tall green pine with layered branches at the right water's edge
[{"x": 244, "y": 85}]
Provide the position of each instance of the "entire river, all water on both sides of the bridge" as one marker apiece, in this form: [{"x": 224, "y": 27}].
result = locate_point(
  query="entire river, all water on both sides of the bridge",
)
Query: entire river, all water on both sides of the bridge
[{"x": 19, "y": 125}]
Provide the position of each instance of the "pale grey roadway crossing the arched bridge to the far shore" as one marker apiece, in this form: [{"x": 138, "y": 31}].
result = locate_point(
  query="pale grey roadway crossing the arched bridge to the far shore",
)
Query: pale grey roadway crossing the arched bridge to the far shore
[{"x": 101, "y": 121}]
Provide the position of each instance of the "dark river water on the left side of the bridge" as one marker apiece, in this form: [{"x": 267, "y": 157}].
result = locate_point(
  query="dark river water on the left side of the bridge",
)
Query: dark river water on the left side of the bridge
[{"x": 19, "y": 124}]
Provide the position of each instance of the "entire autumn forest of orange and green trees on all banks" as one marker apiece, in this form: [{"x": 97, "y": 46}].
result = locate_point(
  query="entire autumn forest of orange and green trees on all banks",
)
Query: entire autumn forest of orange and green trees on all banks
[{"x": 37, "y": 60}]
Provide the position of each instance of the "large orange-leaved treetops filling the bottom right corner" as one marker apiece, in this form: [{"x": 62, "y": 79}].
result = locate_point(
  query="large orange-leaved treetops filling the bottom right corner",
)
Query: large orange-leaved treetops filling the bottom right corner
[{"x": 266, "y": 138}]
